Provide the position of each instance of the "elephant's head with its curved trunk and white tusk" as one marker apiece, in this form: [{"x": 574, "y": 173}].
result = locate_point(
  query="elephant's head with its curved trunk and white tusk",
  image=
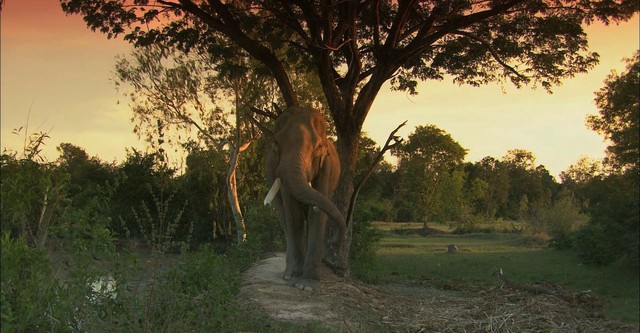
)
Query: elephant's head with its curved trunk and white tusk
[{"x": 305, "y": 160}]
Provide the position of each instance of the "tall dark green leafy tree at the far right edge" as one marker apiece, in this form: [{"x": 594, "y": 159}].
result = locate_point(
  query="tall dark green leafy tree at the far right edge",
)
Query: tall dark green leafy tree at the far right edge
[{"x": 612, "y": 201}]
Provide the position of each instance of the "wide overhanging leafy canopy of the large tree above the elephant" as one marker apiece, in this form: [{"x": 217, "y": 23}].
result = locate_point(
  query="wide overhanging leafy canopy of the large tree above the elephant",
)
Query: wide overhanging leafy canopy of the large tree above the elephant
[{"x": 550, "y": 39}]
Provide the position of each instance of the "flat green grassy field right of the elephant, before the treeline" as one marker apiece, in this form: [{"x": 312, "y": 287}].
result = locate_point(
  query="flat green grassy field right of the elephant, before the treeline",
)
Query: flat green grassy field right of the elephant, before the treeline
[{"x": 415, "y": 259}]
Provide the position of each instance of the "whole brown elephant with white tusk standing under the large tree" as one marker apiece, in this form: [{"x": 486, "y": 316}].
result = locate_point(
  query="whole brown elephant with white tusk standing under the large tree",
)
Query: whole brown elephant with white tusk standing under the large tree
[{"x": 302, "y": 170}]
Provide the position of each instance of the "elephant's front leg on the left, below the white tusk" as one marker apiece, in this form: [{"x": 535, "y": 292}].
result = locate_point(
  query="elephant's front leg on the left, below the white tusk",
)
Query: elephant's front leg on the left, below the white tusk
[{"x": 292, "y": 218}]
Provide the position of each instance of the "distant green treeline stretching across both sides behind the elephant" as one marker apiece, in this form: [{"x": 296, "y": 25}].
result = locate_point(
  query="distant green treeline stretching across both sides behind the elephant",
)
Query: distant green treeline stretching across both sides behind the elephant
[{"x": 592, "y": 210}]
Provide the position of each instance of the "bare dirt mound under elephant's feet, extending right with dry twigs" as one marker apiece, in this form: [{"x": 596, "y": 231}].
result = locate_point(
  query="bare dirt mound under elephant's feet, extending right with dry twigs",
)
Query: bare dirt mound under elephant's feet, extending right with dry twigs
[{"x": 349, "y": 306}]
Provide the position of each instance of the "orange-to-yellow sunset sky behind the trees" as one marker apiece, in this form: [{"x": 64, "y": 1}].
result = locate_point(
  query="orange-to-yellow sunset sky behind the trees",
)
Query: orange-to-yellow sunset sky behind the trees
[{"x": 53, "y": 65}]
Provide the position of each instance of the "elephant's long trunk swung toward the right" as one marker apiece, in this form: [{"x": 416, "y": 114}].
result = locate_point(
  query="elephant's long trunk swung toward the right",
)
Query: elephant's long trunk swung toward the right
[{"x": 298, "y": 185}]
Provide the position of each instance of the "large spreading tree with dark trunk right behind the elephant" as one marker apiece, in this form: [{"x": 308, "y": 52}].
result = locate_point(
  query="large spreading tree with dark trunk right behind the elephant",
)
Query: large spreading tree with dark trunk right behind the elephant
[{"x": 356, "y": 46}]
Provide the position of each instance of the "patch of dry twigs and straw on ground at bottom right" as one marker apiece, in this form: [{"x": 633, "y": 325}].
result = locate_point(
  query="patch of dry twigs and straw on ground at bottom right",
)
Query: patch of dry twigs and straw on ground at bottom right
[{"x": 511, "y": 307}]
